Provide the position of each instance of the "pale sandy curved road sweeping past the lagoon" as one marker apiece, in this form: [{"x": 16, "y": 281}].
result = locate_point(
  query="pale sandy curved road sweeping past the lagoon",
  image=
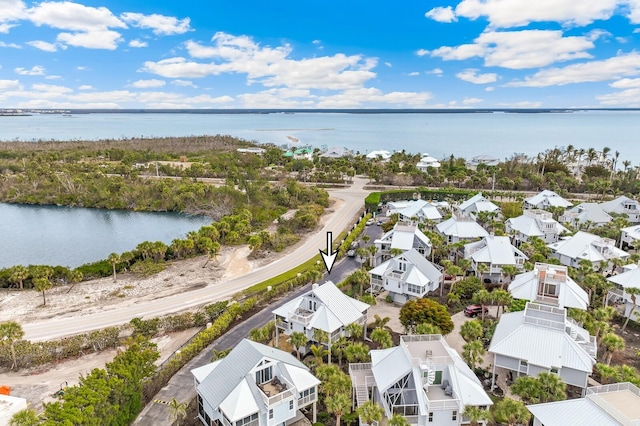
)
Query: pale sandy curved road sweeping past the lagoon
[{"x": 337, "y": 221}]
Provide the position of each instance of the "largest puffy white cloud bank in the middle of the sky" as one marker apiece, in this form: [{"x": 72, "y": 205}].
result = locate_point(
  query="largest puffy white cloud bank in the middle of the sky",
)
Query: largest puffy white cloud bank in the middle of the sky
[{"x": 266, "y": 65}]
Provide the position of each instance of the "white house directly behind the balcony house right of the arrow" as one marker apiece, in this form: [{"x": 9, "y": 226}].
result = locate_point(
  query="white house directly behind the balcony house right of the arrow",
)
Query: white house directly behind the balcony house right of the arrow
[{"x": 403, "y": 236}]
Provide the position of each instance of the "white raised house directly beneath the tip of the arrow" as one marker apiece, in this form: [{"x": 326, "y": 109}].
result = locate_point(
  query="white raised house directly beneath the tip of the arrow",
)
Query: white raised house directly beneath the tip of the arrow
[{"x": 325, "y": 307}]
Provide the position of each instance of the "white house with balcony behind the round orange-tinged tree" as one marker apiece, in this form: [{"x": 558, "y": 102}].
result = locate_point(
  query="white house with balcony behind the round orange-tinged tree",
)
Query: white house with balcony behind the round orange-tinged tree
[{"x": 407, "y": 276}]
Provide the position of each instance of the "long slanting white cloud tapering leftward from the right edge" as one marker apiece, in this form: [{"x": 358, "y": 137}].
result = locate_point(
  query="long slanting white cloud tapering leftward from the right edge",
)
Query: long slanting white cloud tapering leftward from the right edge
[{"x": 607, "y": 69}]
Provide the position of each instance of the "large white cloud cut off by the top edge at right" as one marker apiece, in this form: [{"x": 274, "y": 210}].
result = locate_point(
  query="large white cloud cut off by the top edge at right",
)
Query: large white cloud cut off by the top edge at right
[{"x": 515, "y": 13}]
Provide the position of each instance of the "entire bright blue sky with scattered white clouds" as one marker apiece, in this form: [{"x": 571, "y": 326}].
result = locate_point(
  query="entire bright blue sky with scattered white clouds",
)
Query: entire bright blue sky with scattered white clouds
[{"x": 329, "y": 54}]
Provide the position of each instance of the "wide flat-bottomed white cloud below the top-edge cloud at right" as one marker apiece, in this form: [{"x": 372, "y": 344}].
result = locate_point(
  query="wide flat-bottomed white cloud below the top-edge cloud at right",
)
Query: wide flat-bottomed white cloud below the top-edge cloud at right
[{"x": 520, "y": 49}]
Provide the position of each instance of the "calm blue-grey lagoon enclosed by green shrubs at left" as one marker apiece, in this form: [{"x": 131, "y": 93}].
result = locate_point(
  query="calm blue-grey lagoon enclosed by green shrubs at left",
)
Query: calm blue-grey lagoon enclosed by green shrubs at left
[{"x": 73, "y": 236}]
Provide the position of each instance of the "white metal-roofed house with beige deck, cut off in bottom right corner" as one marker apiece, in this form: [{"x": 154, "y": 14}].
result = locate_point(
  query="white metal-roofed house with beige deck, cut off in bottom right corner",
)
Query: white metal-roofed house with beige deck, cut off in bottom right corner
[{"x": 617, "y": 404}]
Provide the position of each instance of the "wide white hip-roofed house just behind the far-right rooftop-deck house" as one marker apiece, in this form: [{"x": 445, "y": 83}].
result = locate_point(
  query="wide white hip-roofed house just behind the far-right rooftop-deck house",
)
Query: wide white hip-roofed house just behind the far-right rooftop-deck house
[{"x": 583, "y": 245}]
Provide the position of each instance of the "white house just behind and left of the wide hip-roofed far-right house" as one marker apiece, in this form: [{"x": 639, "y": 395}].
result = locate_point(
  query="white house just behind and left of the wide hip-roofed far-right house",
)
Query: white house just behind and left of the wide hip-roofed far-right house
[{"x": 534, "y": 223}]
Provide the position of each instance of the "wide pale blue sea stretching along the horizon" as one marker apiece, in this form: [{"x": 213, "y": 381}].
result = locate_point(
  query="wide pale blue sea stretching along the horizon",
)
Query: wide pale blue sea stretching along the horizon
[{"x": 438, "y": 134}]
